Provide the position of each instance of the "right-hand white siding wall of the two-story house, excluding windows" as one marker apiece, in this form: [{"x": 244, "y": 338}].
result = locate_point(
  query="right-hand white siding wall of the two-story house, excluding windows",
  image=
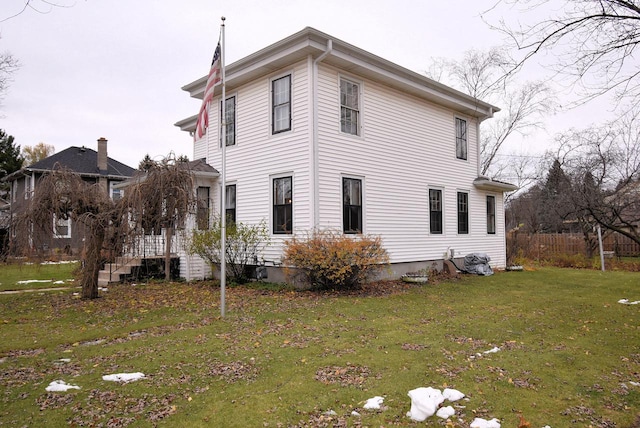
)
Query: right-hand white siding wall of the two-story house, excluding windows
[{"x": 406, "y": 146}]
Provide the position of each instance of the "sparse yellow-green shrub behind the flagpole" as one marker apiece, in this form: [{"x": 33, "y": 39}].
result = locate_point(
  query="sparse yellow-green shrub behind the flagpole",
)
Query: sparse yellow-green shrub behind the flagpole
[{"x": 243, "y": 244}]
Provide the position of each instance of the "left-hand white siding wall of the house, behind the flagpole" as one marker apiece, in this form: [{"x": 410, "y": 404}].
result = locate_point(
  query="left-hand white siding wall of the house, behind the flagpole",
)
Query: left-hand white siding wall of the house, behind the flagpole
[{"x": 258, "y": 156}]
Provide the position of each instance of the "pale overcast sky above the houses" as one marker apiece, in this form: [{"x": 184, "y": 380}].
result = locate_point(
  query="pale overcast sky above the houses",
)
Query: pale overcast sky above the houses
[{"x": 114, "y": 68}]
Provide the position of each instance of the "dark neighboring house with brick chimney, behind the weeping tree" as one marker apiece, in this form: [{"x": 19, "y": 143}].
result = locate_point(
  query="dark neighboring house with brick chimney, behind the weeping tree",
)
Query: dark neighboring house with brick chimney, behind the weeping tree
[{"x": 92, "y": 166}]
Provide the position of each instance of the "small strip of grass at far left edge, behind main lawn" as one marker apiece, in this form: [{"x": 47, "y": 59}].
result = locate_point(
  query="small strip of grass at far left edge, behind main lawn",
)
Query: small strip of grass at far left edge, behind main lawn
[{"x": 11, "y": 275}]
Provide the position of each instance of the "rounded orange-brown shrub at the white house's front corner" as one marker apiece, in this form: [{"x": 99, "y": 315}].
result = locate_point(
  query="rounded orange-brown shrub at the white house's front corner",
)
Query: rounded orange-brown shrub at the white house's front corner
[{"x": 329, "y": 259}]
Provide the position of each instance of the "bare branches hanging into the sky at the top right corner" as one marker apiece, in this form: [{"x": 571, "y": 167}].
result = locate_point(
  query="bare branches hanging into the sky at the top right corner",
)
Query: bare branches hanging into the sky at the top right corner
[{"x": 591, "y": 42}]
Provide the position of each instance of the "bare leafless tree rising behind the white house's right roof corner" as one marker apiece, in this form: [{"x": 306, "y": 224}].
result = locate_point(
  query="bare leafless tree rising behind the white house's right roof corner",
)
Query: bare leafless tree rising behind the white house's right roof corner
[{"x": 523, "y": 106}]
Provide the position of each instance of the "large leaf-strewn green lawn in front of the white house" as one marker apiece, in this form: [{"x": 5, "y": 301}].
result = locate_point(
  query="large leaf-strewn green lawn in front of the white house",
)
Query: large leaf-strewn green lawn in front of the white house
[{"x": 568, "y": 352}]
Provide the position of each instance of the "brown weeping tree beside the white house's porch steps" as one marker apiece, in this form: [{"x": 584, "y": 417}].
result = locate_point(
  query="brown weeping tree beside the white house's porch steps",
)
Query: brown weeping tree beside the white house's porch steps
[{"x": 160, "y": 198}]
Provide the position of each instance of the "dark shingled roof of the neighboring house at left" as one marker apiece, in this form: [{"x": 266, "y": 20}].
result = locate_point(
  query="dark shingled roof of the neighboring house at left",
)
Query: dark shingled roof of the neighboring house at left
[{"x": 81, "y": 160}]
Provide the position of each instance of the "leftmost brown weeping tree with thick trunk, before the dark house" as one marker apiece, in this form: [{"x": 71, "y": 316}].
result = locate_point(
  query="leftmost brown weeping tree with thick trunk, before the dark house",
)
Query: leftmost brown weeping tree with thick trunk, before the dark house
[{"x": 62, "y": 195}]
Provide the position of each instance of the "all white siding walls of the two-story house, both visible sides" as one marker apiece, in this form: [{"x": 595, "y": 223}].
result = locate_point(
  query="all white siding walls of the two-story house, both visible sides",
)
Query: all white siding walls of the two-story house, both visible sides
[{"x": 406, "y": 146}]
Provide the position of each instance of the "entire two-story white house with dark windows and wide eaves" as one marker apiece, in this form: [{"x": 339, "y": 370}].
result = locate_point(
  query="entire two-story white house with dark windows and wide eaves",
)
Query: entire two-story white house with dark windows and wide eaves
[{"x": 321, "y": 134}]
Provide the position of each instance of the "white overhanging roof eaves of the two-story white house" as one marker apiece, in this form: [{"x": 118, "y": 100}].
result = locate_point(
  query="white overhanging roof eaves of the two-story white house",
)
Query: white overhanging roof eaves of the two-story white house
[{"x": 312, "y": 43}]
